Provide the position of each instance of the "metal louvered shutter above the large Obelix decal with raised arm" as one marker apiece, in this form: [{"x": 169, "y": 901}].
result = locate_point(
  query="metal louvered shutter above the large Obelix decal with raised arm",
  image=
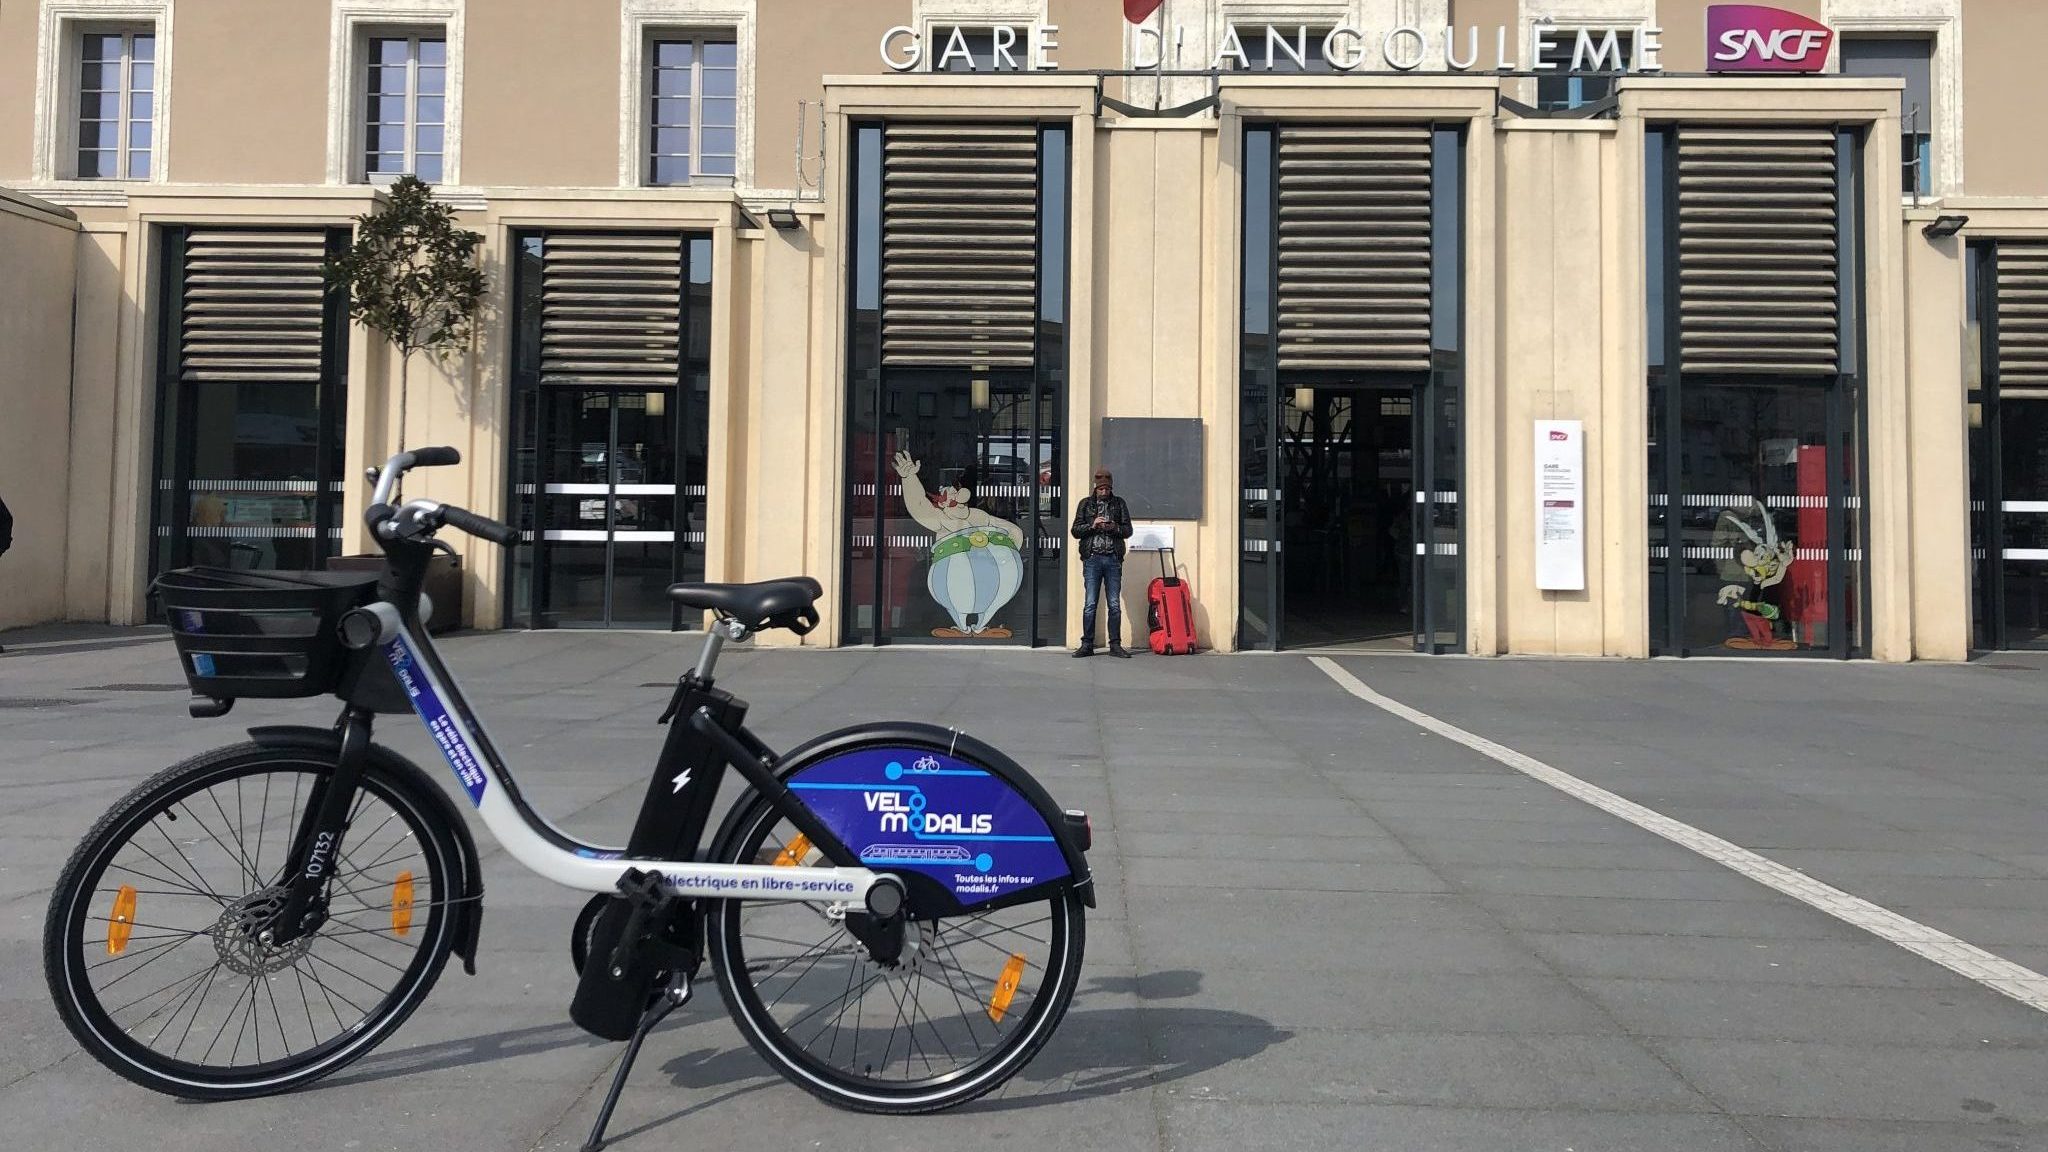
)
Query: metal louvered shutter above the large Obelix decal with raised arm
[{"x": 959, "y": 245}]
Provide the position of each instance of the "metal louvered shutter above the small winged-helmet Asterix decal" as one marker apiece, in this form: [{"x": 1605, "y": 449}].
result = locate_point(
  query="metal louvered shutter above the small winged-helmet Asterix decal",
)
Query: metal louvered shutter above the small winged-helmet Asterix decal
[{"x": 1760, "y": 265}]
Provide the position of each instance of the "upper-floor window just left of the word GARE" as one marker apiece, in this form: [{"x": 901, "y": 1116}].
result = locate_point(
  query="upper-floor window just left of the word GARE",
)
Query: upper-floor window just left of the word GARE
[{"x": 693, "y": 124}]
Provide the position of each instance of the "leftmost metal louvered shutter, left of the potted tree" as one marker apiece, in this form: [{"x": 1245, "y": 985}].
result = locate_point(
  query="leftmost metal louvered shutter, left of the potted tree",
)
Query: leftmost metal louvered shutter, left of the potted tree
[{"x": 253, "y": 306}]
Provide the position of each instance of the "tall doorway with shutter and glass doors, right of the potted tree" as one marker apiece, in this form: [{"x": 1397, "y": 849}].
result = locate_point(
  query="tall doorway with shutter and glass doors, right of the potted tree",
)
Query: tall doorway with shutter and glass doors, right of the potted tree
[{"x": 611, "y": 386}]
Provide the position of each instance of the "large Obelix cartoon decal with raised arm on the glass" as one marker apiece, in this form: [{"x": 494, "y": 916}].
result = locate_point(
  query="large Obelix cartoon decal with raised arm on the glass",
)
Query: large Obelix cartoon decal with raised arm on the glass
[{"x": 976, "y": 561}]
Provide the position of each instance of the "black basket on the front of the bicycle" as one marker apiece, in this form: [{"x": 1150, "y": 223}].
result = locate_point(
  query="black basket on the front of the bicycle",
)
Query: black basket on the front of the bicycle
[{"x": 261, "y": 634}]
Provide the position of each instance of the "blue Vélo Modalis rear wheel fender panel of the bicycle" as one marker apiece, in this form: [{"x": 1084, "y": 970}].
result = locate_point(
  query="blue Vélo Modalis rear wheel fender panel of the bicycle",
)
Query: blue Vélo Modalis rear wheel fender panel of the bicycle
[{"x": 943, "y": 807}]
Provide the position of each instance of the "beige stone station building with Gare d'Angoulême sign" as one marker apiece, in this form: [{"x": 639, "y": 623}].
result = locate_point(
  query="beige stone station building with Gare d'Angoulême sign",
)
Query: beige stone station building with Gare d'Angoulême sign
[{"x": 1537, "y": 327}]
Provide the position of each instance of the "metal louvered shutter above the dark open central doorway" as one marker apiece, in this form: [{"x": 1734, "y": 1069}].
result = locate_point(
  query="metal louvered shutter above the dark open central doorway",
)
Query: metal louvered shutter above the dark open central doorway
[{"x": 1355, "y": 247}]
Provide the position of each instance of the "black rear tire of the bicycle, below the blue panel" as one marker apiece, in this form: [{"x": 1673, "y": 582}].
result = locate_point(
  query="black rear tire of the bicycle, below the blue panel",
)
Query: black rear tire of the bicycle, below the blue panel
[{"x": 753, "y": 823}]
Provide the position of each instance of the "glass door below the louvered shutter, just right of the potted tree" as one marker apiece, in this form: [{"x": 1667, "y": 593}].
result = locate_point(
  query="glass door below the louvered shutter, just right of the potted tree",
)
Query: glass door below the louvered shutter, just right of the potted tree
[{"x": 609, "y": 534}]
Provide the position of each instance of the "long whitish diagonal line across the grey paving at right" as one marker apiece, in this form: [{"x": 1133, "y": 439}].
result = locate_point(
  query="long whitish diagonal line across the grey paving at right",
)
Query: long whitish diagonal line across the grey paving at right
[{"x": 1953, "y": 954}]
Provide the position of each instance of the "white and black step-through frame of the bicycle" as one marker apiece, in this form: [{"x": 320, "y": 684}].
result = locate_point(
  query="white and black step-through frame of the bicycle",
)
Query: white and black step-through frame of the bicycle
[{"x": 708, "y": 735}]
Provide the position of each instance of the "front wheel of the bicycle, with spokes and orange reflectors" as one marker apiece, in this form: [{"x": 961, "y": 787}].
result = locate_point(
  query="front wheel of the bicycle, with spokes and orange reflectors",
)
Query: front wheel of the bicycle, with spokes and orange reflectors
[{"x": 155, "y": 940}]
